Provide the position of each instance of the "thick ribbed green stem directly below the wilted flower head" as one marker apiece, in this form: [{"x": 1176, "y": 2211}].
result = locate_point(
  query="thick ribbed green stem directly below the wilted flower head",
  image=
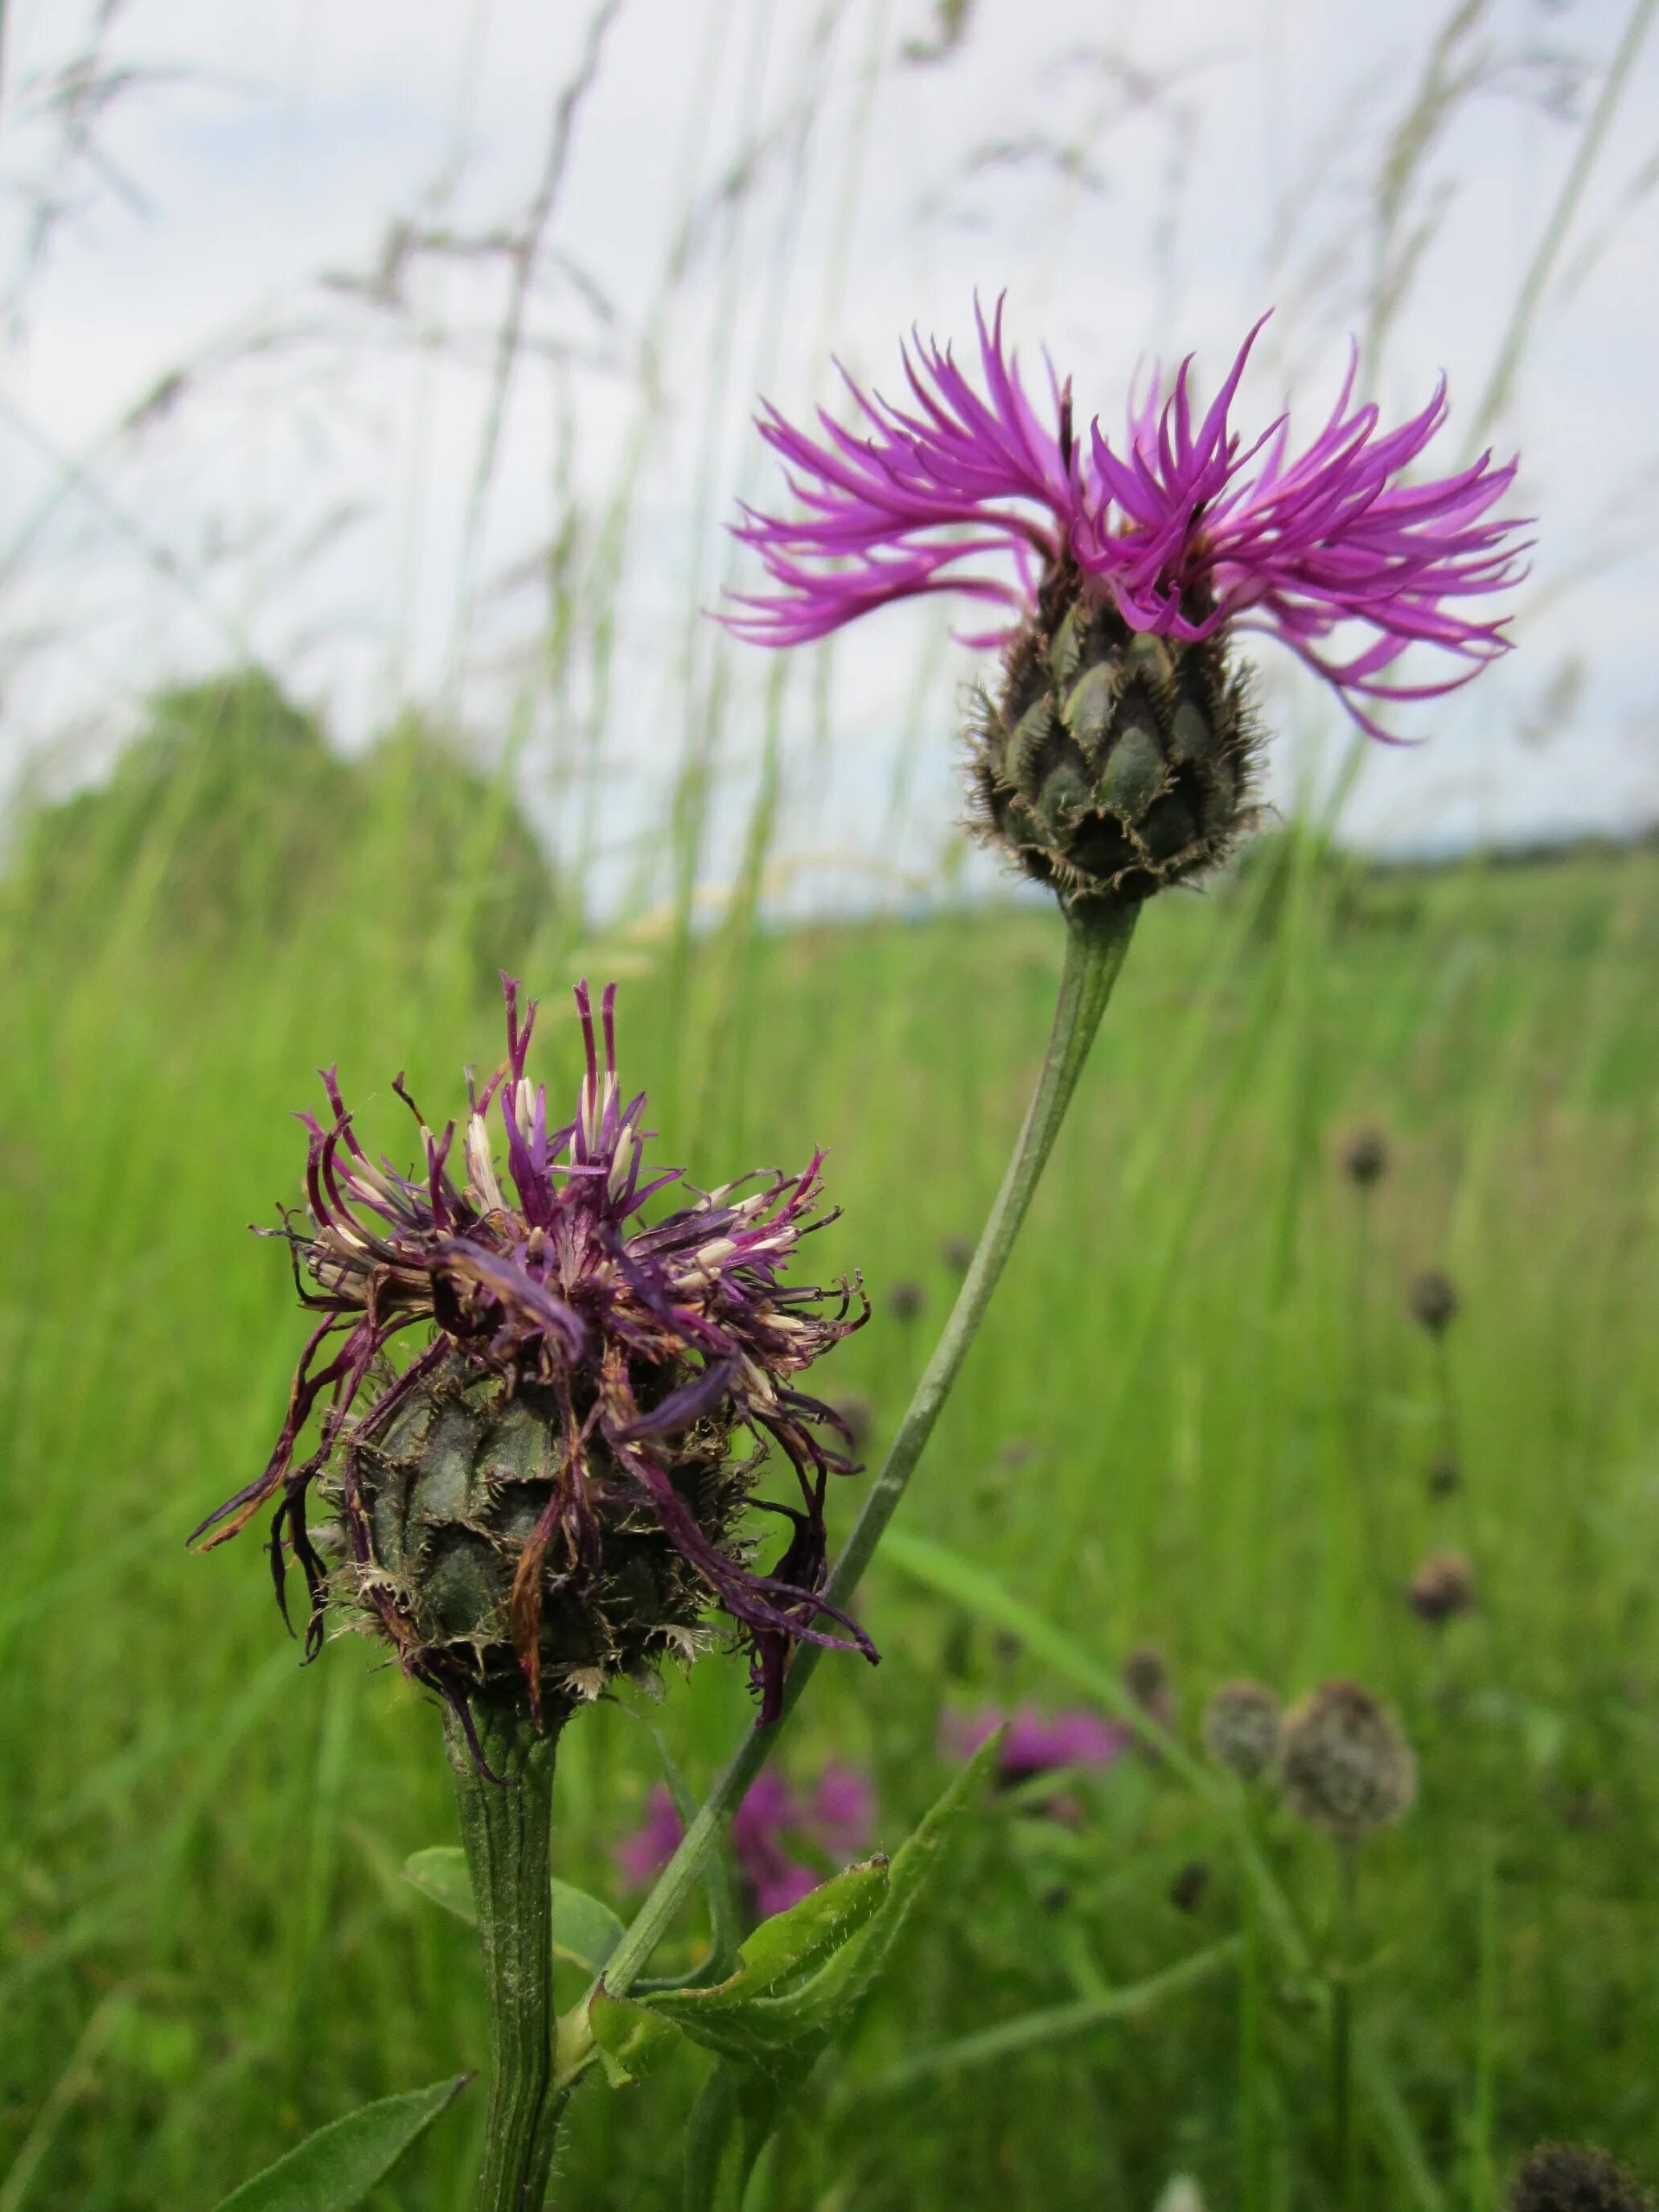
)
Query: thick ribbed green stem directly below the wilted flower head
[{"x": 508, "y": 1830}]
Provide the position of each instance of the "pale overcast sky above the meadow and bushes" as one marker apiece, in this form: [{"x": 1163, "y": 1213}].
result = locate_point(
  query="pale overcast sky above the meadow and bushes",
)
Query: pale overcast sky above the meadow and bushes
[{"x": 286, "y": 227}]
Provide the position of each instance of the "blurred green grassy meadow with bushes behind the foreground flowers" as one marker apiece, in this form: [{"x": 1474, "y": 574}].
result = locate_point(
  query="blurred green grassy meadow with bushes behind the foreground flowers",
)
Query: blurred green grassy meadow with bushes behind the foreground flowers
[{"x": 1200, "y": 1419}]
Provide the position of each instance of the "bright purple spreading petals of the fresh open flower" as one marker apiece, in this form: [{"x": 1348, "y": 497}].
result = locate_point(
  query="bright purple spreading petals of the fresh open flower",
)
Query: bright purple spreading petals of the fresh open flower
[{"x": 1187, "y": 528}]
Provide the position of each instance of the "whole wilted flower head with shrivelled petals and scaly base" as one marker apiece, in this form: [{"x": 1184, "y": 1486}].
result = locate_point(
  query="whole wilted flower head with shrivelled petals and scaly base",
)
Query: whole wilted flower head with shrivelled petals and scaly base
[{"x": 547, "y": 1494}]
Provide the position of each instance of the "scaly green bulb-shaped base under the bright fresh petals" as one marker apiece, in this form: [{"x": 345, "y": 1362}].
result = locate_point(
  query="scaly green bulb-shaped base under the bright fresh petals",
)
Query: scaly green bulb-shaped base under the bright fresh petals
[{"x": 1112, "y": 762}]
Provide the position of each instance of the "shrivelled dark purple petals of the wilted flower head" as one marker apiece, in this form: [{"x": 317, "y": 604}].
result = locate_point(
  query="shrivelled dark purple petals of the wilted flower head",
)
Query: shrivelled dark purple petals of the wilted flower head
[{"x": 565, "y": 1286}]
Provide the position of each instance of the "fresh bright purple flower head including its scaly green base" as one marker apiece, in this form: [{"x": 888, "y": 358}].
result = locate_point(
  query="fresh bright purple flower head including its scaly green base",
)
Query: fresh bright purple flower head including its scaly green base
[{"x": 1116, "y": 753}]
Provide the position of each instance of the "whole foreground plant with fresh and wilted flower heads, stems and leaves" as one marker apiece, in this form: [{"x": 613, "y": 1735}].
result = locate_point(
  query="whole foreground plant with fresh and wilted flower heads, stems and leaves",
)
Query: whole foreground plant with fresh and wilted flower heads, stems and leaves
[{"x": 545, "y": 1499}]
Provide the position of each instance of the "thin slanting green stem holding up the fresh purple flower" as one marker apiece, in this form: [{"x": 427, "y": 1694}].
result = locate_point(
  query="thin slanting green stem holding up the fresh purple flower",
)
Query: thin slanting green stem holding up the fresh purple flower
[{"x": 1096, "y": 952}]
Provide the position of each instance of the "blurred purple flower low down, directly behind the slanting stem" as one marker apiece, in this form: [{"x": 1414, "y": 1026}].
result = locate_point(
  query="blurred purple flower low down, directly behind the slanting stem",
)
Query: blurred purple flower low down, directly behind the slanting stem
[{"x": 833, "y": 1822}]
